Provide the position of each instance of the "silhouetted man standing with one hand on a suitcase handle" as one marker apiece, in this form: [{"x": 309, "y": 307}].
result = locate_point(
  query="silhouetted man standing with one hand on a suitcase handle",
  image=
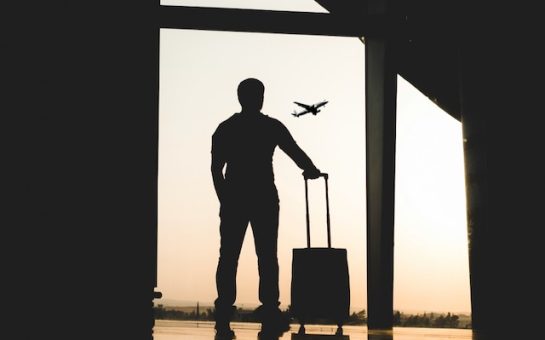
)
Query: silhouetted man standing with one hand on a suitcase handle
[{"x": 244, "y": 144}]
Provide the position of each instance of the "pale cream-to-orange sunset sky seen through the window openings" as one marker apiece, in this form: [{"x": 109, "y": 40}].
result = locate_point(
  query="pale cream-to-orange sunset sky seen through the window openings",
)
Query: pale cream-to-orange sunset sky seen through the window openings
[{"x": 199, "y": 74}]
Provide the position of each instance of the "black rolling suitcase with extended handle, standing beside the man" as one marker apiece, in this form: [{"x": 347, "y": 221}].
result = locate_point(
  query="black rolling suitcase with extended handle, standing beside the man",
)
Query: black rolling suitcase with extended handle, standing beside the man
[{"x": 320, "y": 288}]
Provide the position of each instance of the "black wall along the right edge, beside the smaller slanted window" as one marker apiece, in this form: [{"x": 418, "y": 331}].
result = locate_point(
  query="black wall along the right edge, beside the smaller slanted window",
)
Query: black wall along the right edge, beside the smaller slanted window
[{"x": 503, "y": 147}]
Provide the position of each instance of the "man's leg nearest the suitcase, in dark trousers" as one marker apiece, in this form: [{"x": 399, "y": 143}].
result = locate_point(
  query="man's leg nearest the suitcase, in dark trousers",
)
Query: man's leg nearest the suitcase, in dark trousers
[{"x": 265, "y": 229}]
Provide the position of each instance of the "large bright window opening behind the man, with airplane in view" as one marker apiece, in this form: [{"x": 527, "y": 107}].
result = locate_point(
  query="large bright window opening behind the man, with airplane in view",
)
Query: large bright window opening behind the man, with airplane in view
[{"x": 199, "y": 74}]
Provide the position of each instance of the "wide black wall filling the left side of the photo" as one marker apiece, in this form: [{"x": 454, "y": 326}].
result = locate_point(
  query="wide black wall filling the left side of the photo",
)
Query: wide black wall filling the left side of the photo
[{"x": 82, "y": 88}]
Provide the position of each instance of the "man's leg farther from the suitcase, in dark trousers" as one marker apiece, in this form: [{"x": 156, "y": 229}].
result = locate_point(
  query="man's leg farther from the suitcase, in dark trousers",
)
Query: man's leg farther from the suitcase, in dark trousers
[{"x": 232, "y": 229}]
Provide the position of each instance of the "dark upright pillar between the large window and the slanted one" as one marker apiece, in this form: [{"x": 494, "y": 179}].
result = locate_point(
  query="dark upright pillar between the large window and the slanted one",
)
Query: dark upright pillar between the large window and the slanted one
[{"x": 381, "y": 90}]
